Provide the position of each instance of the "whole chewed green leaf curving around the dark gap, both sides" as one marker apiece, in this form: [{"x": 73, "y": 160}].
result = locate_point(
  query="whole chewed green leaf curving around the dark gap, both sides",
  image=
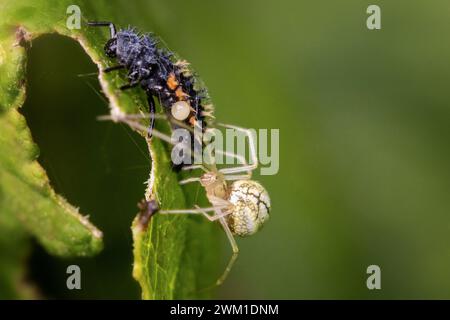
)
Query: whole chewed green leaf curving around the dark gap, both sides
[{"x": 174, "y": 258}]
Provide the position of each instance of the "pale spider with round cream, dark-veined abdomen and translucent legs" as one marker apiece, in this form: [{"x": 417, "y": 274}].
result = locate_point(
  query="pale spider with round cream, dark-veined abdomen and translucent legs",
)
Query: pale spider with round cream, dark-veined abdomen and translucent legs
[{"x": 238, "y": 203}]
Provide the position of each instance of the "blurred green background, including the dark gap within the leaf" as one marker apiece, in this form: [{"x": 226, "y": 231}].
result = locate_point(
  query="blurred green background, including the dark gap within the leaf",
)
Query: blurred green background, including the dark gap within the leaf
[{"x": 364, "y": 123}]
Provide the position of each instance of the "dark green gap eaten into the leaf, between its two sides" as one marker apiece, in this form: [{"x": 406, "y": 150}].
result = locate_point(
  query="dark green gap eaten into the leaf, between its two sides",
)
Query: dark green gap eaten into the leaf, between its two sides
[{"x": 95, "y": 165}]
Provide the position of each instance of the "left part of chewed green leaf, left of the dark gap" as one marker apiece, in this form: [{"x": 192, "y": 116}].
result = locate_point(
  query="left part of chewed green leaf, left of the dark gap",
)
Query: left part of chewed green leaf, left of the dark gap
[{"x": 28, "y": 204}]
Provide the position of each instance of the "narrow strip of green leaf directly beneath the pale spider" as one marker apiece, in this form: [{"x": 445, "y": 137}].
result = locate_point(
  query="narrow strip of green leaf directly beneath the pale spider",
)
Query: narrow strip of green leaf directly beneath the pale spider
[{"x": 176, "y": 256}]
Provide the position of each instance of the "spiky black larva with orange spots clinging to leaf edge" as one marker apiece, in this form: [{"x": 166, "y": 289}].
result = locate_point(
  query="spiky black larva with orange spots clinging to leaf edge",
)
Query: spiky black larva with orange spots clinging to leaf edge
[{"x": 171, "y": 83}]
